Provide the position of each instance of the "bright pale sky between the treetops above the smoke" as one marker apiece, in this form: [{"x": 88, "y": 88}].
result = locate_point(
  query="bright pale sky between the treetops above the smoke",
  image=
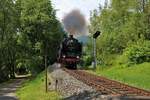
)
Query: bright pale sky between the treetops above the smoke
[{"x": 85, "y": 6}]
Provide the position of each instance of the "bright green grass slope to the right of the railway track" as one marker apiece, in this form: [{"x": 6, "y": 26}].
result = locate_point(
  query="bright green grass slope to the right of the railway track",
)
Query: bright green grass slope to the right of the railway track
[{"x": 136, "y": 75}]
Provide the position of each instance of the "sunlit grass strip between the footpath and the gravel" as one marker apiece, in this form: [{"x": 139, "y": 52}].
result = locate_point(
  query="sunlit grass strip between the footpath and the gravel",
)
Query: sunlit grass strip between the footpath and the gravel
[{"x": 35, "y": 90}]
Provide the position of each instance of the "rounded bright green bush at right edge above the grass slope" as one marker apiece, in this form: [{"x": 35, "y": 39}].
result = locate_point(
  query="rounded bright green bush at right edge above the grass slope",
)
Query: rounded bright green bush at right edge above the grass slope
[{"x": 138, "y": 53}]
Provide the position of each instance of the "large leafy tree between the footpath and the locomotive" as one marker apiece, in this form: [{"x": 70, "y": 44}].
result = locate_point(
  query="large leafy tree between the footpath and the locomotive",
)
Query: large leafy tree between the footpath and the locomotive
[{"x": 40, "y": 34}]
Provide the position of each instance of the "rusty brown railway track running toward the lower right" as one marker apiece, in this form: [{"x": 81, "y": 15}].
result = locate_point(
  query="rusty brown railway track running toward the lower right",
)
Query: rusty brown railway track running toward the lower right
[{"x": 107, "y": 86}]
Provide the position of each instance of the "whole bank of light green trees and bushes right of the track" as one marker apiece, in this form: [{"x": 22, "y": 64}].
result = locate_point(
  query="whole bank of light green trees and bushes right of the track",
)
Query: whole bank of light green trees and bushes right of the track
[{"x": 125, "y": 27}]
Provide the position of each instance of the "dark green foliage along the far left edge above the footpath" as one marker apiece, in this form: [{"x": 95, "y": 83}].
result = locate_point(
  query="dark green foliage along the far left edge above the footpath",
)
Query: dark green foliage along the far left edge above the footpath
[{"x": 8, "y": 27}]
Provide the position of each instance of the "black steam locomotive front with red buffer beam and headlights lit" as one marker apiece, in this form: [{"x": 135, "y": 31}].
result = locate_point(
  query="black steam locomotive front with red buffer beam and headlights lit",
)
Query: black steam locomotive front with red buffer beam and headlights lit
[{"x": 70, "y": 52}]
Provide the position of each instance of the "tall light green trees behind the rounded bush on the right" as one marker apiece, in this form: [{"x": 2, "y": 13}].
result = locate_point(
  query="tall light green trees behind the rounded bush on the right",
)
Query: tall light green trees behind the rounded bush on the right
[{"x": 123, "y": 23}]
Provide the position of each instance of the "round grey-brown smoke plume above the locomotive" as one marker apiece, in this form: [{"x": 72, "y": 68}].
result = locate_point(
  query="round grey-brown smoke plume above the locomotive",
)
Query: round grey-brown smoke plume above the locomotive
[{"x": 75, "y": 23}]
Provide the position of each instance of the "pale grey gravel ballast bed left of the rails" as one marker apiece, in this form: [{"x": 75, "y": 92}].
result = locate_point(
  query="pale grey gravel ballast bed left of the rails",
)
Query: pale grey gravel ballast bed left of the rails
[{"x": 69, "y": 87}]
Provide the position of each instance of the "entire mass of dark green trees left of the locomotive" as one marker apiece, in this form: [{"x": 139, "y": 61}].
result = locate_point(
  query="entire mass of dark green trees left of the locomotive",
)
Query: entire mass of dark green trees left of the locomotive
[{"x": 29, "y": 34}]
